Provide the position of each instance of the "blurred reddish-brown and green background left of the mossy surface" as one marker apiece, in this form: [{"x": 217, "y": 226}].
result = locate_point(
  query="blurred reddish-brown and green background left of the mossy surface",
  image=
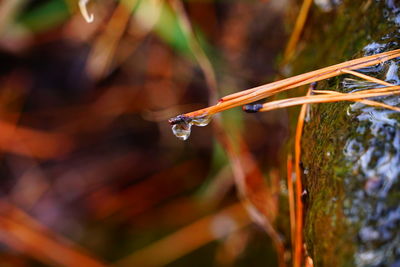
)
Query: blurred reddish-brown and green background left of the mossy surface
[{"x": 91, "y": 173}]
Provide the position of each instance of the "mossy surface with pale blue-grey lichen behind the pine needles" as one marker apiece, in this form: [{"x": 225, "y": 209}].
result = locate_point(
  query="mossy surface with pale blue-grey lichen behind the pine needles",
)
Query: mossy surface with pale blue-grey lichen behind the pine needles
[{"x": 351, "y": 151}]
